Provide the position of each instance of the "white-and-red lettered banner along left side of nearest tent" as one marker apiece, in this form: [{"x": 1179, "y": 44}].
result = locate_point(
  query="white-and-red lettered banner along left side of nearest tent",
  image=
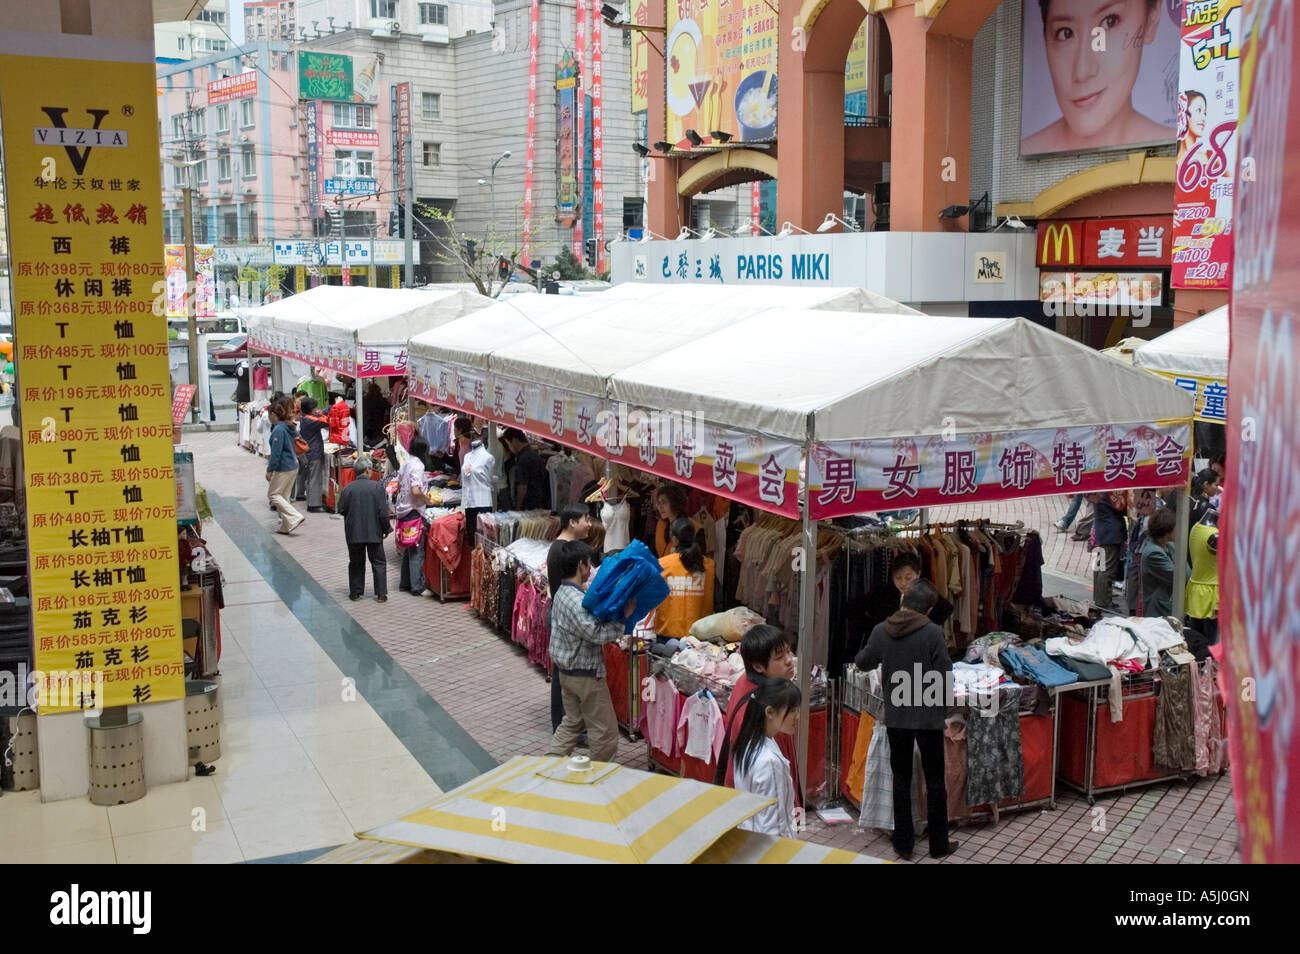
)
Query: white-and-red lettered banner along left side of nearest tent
[{"x": 739, "y": 466}]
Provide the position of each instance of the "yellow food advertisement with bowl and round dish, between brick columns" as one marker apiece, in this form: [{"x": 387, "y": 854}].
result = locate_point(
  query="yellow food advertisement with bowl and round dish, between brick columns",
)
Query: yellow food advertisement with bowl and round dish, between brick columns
[{"x": 722, "y": 70}]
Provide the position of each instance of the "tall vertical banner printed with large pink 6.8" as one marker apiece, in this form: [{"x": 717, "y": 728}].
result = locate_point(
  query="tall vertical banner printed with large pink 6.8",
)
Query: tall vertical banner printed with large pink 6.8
[{"x": 1206, "y": 164}]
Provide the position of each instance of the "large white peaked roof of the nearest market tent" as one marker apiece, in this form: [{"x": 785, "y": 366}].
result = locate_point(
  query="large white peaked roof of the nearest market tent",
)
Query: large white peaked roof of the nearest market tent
[{"x": 872, "y": 376}]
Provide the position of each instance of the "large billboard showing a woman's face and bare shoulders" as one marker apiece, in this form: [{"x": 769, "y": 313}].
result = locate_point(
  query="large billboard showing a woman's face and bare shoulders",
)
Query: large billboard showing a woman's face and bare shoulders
[{"x": 1098, "y": 75}]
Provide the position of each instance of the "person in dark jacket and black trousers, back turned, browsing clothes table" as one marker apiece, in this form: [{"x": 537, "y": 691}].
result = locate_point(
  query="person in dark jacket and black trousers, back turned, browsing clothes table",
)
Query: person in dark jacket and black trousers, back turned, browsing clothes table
[{"x": 917, "y": 686}]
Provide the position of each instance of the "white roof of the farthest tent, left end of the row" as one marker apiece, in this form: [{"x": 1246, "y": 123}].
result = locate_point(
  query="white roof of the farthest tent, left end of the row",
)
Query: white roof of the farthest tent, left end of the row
[{"x": 374, "y": 316}]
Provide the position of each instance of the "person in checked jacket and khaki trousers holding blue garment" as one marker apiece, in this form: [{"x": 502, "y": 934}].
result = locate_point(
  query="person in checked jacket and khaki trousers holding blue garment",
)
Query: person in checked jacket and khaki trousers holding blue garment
[{"x": 578, "y": 651}]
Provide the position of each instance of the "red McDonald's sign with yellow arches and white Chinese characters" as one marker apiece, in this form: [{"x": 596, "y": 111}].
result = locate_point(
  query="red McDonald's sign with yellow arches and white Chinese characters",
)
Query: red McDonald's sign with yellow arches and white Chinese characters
[{"x": 1106, "y": 242}]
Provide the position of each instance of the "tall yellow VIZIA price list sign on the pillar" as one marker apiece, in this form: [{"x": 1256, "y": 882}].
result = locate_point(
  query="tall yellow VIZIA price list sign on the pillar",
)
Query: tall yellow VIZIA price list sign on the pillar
[{"x": 81, "y": 164}]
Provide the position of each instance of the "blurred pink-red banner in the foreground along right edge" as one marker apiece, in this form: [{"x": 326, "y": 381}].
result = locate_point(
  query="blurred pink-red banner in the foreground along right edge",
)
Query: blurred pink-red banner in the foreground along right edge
[{"x": 1259, "y": 612}]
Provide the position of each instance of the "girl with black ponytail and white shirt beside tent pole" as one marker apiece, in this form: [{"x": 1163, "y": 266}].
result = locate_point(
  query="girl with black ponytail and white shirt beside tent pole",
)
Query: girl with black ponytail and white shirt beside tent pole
[{"x": 760, "y": 766}]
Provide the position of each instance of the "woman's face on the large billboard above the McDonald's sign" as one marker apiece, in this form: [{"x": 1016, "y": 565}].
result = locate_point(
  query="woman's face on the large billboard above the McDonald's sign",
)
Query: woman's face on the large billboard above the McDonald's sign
[{"x": 1094, "y": 76}]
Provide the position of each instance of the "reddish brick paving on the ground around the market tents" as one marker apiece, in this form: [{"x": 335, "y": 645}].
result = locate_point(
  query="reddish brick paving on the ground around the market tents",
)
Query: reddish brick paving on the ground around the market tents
[{"x": 487, "y": 684}]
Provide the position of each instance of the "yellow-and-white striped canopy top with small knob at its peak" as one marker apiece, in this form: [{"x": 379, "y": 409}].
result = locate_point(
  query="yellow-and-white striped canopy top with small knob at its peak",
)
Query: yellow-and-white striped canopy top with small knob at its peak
[{"x": 540, "y": 810}]
